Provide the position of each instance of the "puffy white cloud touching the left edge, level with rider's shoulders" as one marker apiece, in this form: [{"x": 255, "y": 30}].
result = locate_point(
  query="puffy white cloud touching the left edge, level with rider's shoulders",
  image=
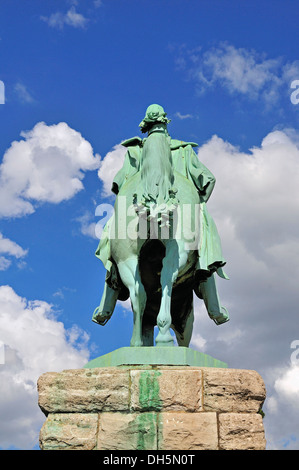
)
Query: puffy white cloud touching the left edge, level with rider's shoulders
[{"x": 47, "y": 166}]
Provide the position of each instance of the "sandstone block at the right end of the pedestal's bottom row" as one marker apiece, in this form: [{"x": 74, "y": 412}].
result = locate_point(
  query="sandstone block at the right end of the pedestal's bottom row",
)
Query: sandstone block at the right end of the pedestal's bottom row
[{"x": 241, "y": 431}]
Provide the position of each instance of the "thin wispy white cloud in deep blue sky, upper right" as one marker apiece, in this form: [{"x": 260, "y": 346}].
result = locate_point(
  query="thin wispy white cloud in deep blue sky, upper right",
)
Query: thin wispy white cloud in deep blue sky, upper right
[{"x": 239, "y": 71}]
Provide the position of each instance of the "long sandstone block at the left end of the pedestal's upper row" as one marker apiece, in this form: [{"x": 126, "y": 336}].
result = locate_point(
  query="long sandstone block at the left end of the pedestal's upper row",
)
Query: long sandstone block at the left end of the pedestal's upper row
[{"x": 84, "y": 390}]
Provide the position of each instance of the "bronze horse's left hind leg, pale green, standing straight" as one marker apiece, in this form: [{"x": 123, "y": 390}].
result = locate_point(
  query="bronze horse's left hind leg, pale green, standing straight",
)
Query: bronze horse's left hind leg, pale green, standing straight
[{"x": 129, "y": 273}]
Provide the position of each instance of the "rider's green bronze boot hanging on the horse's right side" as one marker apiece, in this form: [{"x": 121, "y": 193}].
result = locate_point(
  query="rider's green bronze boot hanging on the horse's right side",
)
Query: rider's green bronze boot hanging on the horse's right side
[{"x": 215, "y": 310}]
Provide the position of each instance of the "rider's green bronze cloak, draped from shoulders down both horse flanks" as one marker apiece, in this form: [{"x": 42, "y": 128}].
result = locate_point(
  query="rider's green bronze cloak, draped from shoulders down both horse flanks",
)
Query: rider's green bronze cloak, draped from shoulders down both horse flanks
[{"x": 186, "y": 162}]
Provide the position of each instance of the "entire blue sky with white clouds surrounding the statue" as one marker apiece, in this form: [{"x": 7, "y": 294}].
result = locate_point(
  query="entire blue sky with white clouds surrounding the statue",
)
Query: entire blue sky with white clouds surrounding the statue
[{"x": 78, "y": 78}]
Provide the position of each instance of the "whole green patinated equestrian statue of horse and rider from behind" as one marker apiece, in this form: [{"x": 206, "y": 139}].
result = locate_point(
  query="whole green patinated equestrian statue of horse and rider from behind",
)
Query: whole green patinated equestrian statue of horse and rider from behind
[{"x": 161, "y": 244}]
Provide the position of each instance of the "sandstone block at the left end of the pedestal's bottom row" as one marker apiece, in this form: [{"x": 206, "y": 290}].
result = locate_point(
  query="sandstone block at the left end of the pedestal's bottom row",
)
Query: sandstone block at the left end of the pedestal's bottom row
[{"x": 70, "y": 431}]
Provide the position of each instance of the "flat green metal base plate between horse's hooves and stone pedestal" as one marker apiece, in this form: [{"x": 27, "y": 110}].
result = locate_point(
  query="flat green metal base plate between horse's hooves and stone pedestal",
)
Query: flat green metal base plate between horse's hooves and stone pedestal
[{"x": 153, "y": 355}]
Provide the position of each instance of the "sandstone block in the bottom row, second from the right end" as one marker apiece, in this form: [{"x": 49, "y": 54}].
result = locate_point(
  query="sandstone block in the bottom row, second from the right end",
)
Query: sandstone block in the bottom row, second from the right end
[{"x": 188, "y": 431}]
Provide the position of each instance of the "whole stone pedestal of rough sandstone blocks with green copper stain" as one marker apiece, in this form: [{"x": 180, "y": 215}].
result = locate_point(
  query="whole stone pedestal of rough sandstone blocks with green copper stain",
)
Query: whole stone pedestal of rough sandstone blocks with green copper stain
[{"x": 160, "y": 407}]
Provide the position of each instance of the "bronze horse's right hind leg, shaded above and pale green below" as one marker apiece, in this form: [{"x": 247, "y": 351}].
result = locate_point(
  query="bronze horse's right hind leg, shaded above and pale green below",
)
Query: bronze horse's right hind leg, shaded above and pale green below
[{"x": 169, "y": 275}]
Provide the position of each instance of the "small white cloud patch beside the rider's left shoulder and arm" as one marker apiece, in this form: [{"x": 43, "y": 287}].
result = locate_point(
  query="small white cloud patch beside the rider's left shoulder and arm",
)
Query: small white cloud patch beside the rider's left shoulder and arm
[{"x": 109, "y": 166}]
